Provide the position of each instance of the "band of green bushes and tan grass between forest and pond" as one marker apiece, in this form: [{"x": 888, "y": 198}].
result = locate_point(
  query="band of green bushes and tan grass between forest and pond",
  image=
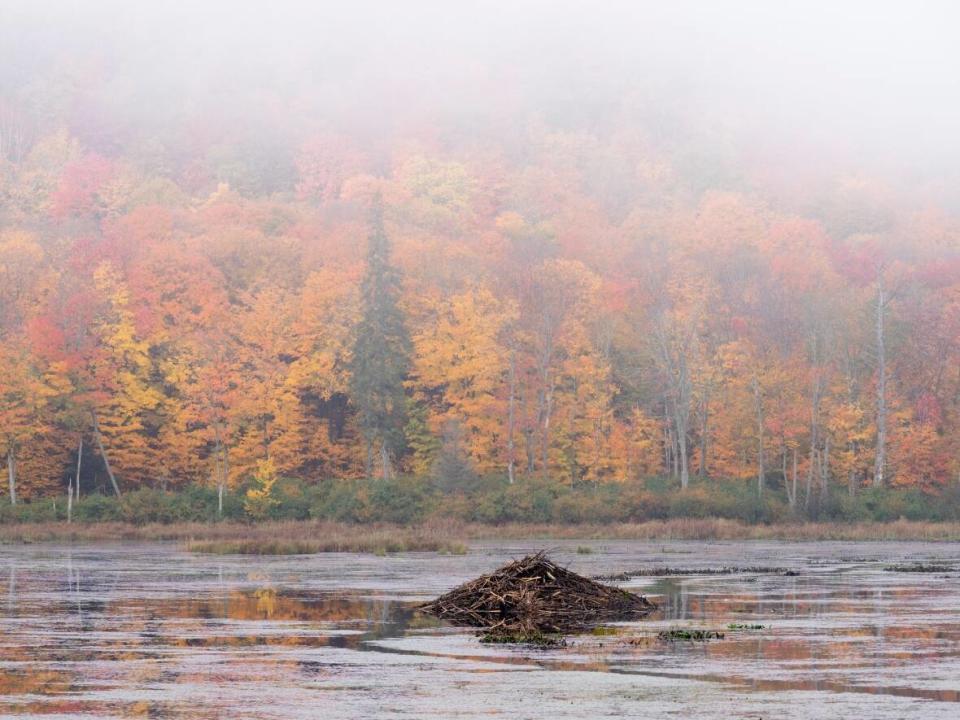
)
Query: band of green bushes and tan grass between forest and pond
[{"x": 411, "y": 514}]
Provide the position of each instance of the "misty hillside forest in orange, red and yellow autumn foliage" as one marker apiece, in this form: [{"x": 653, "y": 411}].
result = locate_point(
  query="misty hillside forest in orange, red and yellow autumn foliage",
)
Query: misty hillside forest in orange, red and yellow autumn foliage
[{"x": 250, "y": 289}]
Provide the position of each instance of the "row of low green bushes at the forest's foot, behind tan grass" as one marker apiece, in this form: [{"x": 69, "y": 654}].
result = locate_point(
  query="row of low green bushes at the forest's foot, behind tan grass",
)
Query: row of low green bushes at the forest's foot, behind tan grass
[{"x": 408, "y": 500}]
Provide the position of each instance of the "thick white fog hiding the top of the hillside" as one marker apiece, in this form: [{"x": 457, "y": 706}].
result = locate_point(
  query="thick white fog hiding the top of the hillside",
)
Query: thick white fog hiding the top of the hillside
[{"x": 855, "y": 86}]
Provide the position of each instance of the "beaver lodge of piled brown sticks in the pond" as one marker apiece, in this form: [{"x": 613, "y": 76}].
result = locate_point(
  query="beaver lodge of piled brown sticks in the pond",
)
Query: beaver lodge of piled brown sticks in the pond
[{"x": 534, "y": 596}]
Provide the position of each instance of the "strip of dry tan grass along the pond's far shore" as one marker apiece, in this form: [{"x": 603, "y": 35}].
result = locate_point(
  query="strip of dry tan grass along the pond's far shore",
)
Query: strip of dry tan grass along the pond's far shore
[{"x": 327, "y": 536}]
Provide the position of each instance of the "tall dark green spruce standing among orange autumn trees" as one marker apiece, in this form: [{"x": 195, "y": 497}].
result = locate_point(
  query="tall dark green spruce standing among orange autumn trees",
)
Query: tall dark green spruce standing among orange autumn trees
[{"x": 381, "y": 353}]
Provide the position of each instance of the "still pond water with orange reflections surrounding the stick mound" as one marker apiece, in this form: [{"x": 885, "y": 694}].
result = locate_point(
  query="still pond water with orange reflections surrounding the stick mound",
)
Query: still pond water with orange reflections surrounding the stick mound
[{"x": 152, "y": 631}]
